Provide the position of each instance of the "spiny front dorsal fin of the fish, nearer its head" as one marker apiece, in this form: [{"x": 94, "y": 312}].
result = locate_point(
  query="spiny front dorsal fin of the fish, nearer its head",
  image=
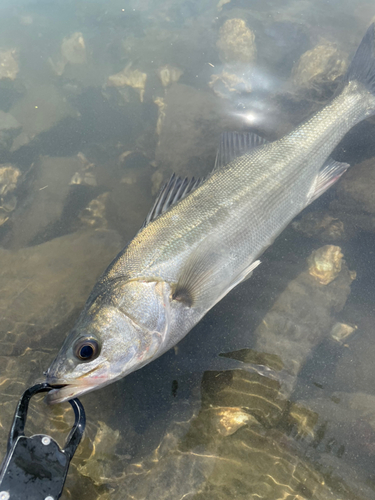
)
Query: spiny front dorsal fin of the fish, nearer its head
[{"x": 172, "y": 192}]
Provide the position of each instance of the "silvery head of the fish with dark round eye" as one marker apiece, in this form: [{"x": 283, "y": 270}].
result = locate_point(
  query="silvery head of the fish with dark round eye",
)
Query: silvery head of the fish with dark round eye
[{"x": 118, "y": 332}]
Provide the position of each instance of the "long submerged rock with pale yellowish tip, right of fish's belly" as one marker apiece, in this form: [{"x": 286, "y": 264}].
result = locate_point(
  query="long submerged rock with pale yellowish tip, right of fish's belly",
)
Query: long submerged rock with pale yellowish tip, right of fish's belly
[{"x": 303, "y": 313}]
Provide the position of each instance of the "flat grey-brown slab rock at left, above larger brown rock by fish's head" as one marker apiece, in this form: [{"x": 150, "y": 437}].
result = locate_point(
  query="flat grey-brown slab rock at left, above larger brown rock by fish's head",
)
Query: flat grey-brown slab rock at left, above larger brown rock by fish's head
[{"x": 46, "y": 199}]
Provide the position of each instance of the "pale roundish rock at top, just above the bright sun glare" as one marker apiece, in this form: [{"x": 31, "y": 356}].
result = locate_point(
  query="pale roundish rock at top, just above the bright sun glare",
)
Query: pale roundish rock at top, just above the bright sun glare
[{"x": 236, "y": 42}]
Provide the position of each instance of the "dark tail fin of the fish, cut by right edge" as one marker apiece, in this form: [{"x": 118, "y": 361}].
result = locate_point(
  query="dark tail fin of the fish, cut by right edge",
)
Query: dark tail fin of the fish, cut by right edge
[{"x": 362, "y": 67}]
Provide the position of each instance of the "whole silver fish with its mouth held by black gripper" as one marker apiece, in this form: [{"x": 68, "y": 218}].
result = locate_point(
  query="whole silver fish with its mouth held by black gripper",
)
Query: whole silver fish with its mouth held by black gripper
[{"x": 203, "y": 237}]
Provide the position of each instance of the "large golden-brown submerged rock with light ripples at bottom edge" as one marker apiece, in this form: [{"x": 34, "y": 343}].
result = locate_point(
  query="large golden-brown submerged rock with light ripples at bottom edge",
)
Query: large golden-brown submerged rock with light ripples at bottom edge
[{"x": 230, "y": 451}]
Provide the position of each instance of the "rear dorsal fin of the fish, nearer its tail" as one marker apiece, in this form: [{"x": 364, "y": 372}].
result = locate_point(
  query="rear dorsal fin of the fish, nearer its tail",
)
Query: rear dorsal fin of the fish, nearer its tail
[{"x": 234, "y": 144}]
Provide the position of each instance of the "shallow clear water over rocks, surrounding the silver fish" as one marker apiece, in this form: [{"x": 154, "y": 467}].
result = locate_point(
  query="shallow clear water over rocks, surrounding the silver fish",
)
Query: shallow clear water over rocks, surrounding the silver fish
[{"x": 286, "y": 411}]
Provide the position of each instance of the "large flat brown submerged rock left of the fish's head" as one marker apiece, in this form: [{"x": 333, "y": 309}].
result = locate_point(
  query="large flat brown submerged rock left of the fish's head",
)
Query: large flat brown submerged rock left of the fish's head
[{"x": 43, "y": 286}]
